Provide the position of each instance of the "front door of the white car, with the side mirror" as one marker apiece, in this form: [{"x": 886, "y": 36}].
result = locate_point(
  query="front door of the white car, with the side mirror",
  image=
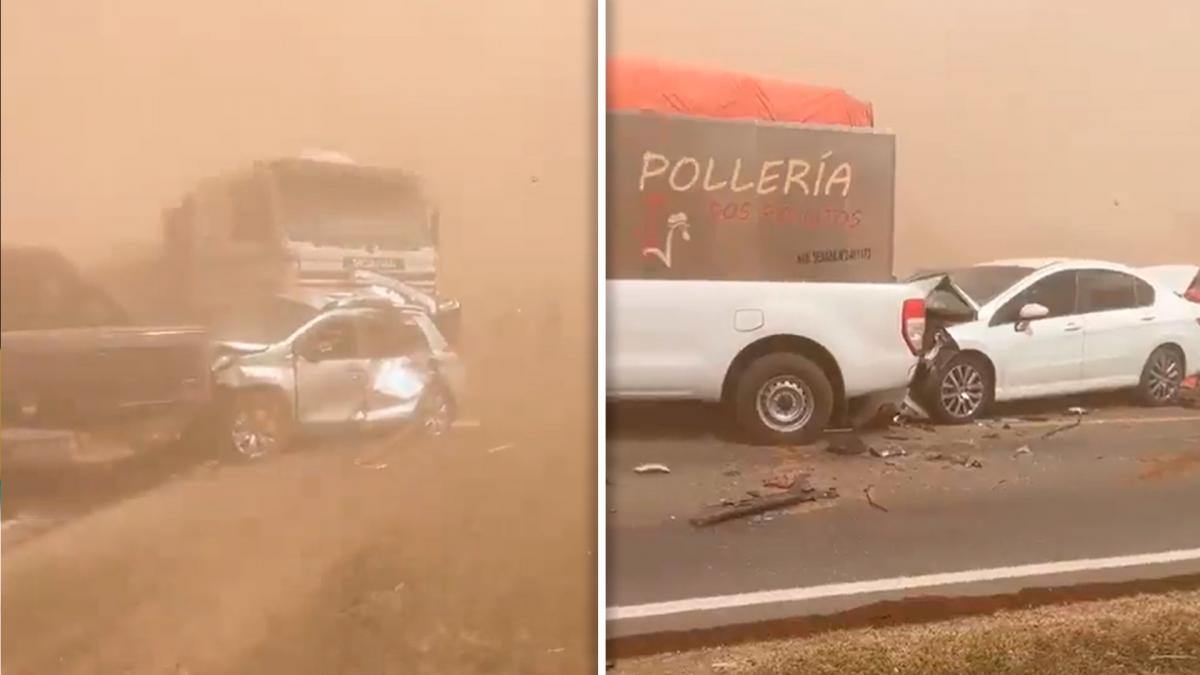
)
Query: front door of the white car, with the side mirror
[{"x": 1041, "y": 357}]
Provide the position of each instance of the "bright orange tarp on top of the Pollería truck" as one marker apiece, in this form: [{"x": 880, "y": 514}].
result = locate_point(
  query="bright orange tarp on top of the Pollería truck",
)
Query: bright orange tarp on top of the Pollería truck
[{"x": 637, "y": 85}]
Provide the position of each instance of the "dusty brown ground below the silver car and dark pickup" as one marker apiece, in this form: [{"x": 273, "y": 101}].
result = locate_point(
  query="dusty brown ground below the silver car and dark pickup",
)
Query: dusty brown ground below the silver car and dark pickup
[{"x": 475, "y": 554}]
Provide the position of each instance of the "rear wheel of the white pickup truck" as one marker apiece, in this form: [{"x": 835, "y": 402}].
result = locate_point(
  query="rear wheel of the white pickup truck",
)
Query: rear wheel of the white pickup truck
[{"x": 802, "y": 390}]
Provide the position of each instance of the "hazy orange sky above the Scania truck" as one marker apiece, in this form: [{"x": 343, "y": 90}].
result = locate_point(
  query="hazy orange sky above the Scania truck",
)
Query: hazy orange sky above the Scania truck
[{"x": 112, "y": 110}]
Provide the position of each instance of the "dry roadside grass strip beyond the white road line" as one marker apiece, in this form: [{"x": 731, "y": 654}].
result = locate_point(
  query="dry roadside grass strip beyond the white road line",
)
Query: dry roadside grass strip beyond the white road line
[{"x": 1142, "y": 635}]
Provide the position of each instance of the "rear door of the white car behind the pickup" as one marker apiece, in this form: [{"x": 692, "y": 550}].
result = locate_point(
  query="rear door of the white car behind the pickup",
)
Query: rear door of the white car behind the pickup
[{"x": 1120, "y": 327}]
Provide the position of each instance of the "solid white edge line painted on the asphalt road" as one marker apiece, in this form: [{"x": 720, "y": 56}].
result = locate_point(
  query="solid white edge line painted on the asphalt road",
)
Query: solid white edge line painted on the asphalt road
[{"x": 896, "y": 584}]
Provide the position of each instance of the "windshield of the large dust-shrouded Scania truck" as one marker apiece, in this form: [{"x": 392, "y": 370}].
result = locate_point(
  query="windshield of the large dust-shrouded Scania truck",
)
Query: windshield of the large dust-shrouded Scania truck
[{"x": 351, "y": 207}]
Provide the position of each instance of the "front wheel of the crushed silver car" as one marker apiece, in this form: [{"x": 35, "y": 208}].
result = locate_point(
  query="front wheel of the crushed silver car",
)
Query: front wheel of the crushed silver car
[{"x": 257, "y": 425}]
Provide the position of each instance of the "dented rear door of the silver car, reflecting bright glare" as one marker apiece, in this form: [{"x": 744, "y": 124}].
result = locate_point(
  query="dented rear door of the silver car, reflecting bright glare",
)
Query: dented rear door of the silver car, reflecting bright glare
[{"x": 400, "y": 366}]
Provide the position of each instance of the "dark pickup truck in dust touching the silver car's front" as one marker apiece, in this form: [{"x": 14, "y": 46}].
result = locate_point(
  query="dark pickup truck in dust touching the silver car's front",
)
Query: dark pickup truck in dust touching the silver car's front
[{"x": 75, "y": 361}]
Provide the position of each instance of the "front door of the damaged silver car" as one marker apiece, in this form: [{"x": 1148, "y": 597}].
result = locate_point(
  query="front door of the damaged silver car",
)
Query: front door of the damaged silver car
[{"x": 331, "y": 372}]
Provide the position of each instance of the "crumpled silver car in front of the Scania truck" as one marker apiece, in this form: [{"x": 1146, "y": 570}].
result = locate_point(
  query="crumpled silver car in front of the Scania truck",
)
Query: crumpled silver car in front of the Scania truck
[{"x": 314, "y": 361}]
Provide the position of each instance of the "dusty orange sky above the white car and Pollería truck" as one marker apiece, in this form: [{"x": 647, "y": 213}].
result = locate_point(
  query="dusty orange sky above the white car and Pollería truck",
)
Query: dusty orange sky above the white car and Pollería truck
[{"x": 1023, "y": 129}]
